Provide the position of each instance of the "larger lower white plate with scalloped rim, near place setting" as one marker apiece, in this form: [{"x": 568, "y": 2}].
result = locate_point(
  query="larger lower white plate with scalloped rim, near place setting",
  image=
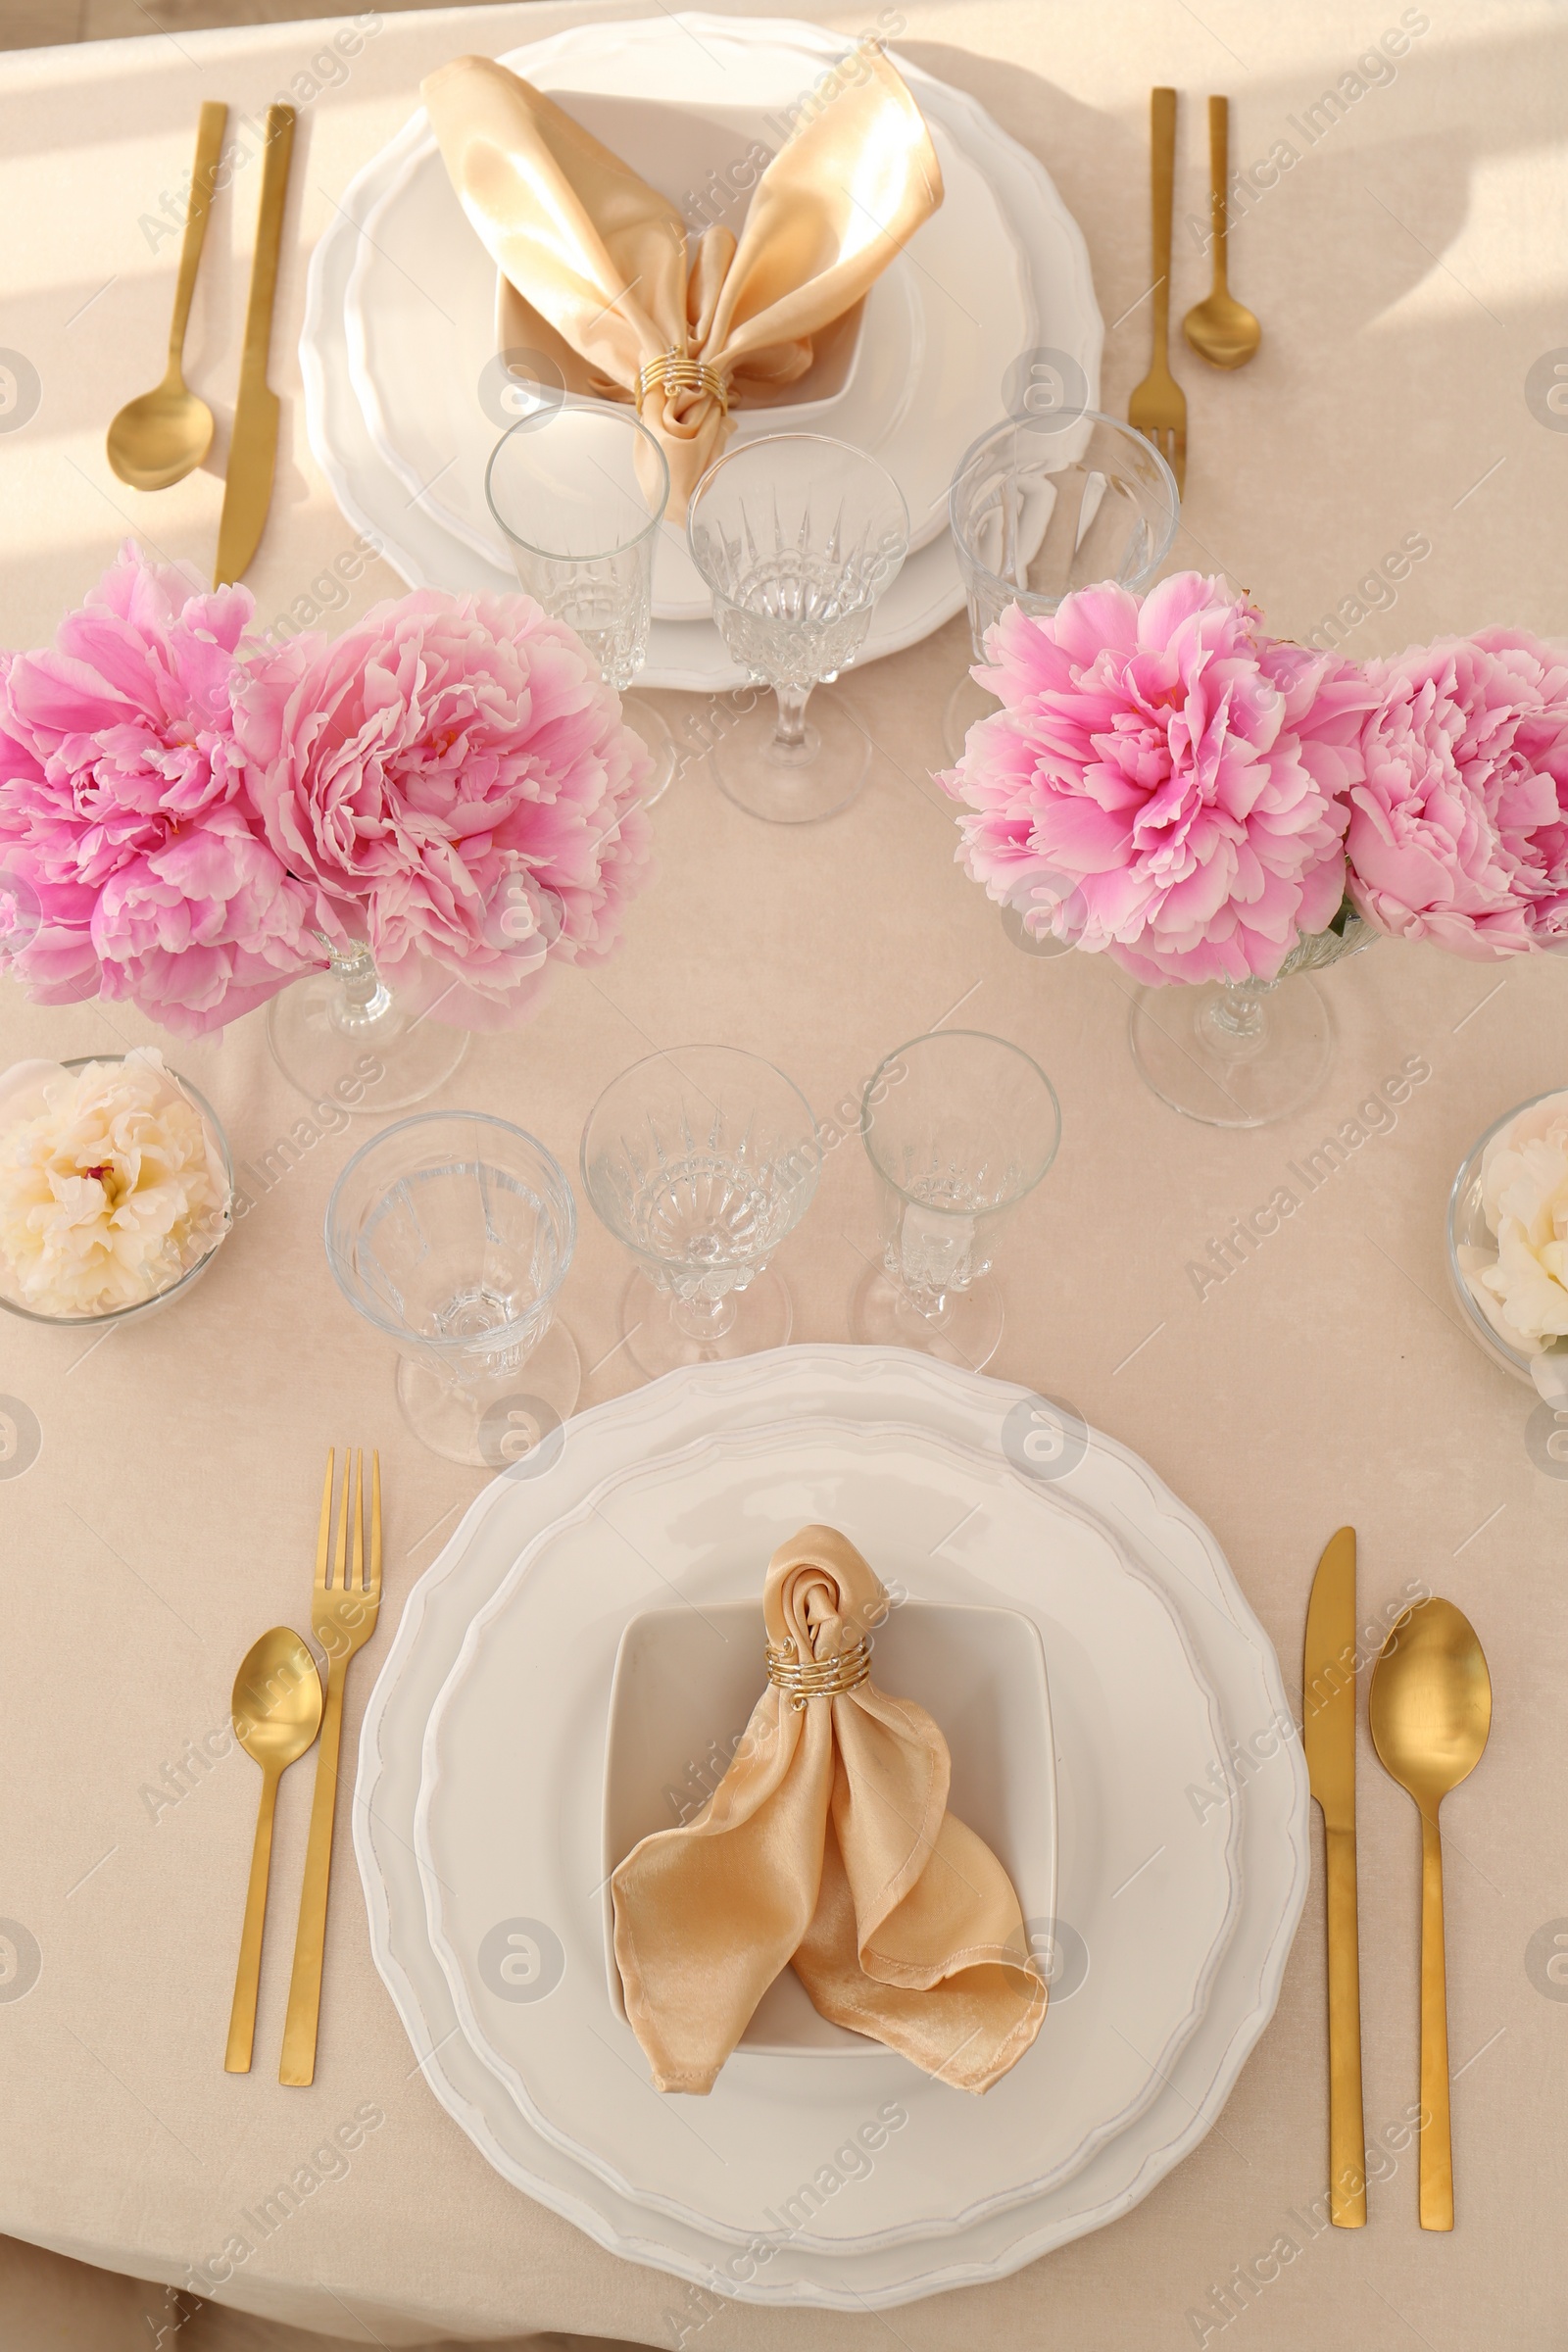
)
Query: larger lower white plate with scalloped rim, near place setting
[{"x": 1113, "y": 1488}]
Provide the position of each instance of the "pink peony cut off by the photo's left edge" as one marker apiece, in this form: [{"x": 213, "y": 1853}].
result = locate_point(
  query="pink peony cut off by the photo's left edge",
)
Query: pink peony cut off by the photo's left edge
[{"x": 133, "y": 860}]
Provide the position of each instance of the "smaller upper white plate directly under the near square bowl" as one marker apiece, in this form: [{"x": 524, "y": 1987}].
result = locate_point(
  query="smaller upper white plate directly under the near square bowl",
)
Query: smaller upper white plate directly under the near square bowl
[{"x": 509, "y": 1826}]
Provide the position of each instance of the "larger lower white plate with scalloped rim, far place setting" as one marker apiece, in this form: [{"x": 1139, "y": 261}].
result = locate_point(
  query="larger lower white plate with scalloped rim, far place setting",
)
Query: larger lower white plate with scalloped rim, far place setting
[{"x": 685, "y": 655}]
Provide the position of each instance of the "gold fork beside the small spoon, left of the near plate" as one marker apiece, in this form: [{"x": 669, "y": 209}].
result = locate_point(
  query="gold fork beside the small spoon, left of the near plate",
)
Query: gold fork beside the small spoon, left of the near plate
[{"x": 342, "y": 1619}]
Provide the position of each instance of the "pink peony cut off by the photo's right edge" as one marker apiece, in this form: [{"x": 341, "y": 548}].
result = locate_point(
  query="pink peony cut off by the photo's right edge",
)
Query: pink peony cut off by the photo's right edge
[{"x": 1459, "y": 829}]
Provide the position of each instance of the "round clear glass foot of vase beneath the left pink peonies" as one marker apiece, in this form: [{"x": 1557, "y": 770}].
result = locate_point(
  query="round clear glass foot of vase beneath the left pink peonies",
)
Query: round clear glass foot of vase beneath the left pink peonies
[{"x": 344, "y": 1038}]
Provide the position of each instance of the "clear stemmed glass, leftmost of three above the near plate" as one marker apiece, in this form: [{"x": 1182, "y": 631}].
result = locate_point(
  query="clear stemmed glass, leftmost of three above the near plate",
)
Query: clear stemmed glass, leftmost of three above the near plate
[{"x": 453, "y": 1236}]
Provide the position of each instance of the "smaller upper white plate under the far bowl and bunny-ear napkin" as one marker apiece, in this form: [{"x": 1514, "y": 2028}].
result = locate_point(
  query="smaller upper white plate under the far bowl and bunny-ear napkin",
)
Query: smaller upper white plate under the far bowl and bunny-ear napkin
[{"x": 958, "y": 286}]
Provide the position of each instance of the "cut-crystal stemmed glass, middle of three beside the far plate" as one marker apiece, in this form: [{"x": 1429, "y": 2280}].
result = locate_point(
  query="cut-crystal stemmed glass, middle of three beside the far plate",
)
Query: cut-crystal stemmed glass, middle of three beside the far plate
[{"x": 798, "y": 537}]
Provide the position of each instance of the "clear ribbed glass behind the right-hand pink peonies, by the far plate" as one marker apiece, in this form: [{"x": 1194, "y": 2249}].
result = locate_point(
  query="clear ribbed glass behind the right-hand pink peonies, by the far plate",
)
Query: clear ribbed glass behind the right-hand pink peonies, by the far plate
[{"x": 1043, "y": 507}]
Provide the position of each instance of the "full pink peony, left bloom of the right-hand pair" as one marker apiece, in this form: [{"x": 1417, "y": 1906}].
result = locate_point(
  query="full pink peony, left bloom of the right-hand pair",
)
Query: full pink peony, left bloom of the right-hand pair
[{"x": 1172, "y": 770}]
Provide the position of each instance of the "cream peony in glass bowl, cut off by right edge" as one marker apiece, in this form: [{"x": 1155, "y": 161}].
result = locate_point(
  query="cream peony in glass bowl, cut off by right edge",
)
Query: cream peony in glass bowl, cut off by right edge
[{"x": 1525, "y": 1201}]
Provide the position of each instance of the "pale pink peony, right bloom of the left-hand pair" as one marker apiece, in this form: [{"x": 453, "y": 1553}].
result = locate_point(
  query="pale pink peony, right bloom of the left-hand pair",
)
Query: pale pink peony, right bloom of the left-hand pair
[{"x": 460, "y": 784}]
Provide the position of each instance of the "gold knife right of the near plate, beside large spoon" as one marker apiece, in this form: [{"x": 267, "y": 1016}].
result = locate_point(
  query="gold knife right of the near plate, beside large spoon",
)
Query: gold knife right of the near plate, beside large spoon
[{"x": 1329, "y": 1737}]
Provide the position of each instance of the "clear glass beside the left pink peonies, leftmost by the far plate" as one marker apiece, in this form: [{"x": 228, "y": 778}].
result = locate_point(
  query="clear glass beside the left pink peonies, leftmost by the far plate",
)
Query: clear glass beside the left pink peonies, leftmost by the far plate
[{"x": 579, "y": 490}]
